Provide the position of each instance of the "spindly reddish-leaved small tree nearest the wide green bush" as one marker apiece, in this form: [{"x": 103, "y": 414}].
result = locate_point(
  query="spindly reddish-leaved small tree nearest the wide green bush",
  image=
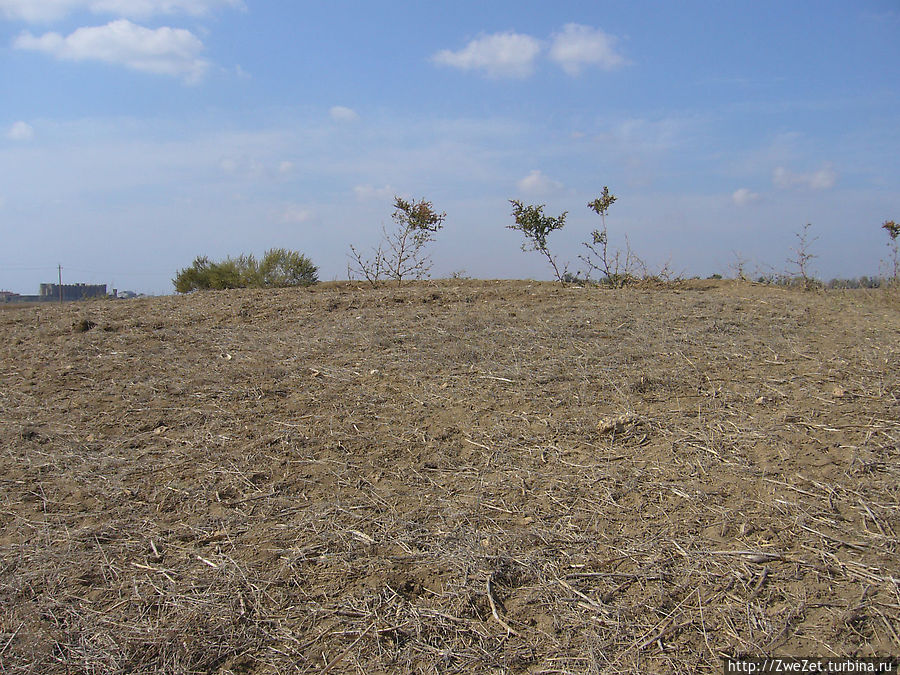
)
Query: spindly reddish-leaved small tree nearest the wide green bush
[{"x": 401, "y": 254}]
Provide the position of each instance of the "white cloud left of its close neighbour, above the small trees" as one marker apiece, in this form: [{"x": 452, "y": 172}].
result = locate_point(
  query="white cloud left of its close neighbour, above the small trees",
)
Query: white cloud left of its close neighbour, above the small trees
[{"x": 498, "y": 55}]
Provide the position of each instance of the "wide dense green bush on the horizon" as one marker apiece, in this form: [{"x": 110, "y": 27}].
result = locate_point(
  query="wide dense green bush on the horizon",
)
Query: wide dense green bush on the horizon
[{"x": 278, "y": 268}]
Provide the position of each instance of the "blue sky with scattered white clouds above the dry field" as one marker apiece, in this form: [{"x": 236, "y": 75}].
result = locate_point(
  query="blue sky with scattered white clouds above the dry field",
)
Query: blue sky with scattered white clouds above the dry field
[{"x": 136, "y": 135}]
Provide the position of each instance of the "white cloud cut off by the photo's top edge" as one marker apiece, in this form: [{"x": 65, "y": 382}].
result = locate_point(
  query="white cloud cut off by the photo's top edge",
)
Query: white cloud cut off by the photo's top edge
[{"x": 49, "y": 10}]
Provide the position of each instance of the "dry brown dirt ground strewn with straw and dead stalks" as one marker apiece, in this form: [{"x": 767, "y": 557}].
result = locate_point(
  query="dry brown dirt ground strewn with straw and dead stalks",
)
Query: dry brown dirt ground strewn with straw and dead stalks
[{"x": 449, "y": 477}]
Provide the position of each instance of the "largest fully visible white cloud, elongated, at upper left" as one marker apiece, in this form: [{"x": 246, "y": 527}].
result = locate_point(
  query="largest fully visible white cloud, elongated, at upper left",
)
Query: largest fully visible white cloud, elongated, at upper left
[{"x": 162, "y": 51}]
